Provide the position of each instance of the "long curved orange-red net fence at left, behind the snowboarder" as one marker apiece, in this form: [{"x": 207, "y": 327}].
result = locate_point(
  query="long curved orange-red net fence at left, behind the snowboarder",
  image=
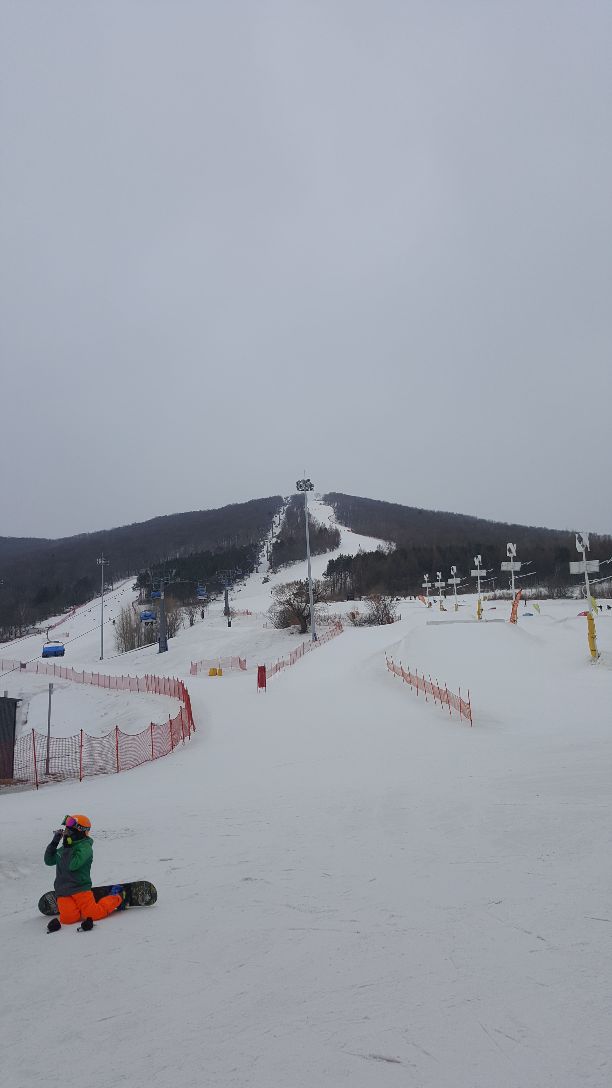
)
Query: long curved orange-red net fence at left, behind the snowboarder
[{"x": 81, "y": 756}]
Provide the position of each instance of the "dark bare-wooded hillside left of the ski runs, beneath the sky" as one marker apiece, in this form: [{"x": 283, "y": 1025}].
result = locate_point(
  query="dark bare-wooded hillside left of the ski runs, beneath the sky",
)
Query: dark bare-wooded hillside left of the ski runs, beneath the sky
[{"x": 44, "y": 577}]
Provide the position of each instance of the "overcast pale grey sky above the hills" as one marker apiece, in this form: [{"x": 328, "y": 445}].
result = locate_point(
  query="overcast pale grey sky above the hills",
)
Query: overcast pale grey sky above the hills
[{"x": 369, "y": 240}]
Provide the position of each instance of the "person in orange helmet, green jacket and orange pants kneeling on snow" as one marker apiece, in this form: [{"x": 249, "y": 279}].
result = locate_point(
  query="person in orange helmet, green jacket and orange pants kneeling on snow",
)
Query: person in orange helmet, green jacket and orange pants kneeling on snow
[{"x": 74, "y": 877}]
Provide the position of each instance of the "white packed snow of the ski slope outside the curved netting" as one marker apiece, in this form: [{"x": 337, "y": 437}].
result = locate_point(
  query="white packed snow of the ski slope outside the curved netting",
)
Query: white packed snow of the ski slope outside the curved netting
[{"x": 354, "y": 887}]
